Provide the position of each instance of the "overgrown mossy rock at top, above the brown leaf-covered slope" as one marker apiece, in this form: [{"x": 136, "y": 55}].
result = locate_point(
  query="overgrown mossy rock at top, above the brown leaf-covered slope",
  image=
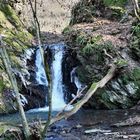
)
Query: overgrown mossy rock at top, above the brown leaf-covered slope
[{"x": 88, "y": 11}]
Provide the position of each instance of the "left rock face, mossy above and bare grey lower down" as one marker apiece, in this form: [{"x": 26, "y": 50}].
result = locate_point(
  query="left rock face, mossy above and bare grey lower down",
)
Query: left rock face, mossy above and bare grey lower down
[{"x": 16, "y": 39}]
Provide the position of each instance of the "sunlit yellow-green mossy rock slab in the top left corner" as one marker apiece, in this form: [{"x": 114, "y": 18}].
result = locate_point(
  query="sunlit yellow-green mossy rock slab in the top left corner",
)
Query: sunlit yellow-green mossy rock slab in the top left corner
[{"x": 11, "y": 26}]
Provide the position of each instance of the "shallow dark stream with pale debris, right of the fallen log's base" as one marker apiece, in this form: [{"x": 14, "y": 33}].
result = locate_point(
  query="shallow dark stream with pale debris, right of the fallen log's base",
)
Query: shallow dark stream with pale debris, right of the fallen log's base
[{"x": 98, "y": 125}]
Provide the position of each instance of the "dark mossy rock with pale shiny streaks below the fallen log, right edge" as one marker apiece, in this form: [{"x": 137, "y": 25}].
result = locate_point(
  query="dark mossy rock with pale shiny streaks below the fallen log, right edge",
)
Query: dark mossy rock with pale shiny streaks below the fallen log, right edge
[{"x": 121, "y": 92}]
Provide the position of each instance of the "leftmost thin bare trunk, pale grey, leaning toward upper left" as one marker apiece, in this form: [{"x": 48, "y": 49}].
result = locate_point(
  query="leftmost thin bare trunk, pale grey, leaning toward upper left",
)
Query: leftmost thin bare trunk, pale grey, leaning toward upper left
[{"x": 12, "y": 78}]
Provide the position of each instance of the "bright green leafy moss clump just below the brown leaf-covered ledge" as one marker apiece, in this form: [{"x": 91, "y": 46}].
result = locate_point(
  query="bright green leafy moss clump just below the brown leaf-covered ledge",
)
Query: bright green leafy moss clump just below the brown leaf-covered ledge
[{"x": 92, "y": 45}]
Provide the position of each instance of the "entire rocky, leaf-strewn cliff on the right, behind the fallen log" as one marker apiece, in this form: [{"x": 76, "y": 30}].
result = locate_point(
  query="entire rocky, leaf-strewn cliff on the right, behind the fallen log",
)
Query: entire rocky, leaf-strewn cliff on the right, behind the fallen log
[{"x": 102, "y": 33}]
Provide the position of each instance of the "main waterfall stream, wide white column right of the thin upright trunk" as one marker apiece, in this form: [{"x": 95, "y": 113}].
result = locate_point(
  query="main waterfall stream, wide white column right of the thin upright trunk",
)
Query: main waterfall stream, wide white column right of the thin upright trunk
[{"x": 57, "y": 86}]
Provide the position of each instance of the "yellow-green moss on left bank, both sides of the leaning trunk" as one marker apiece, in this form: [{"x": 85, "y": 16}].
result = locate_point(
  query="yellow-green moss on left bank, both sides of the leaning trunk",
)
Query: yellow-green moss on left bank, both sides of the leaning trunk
[{"x": 17, "y": 40}]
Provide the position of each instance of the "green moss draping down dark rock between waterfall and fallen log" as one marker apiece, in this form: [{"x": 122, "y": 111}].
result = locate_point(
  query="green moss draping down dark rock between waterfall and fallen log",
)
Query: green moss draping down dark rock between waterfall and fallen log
[{"x": 91, "y": 53}]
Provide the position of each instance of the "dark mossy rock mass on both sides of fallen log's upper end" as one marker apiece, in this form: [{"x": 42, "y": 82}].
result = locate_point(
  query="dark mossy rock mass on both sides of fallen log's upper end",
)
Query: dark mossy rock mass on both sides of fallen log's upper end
[{"x": 123, "y": 91}]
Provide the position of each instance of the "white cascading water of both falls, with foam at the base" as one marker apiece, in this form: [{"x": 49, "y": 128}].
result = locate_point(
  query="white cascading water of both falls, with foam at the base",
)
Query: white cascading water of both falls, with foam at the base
[{"x": 58, "y": 102}]
